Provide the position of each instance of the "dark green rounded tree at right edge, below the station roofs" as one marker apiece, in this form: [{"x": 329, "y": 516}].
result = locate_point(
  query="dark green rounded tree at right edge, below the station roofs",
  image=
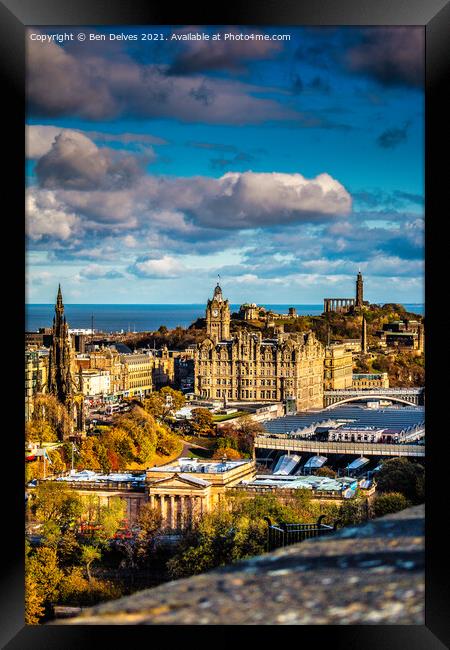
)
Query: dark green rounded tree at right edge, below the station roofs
[{"x": 402, "y": 475}]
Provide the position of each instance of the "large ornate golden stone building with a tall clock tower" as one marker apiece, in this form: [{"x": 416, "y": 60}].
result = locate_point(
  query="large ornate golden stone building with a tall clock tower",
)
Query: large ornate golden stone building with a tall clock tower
[{"x": 247, "y": 367}]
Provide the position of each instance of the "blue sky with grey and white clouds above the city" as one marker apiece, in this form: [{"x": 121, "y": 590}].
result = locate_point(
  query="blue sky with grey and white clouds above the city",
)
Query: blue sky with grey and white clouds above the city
[{"x": 283, "y": 166}]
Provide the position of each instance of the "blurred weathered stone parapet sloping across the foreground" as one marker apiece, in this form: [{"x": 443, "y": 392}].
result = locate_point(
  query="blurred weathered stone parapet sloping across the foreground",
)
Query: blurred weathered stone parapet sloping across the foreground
[{"x": 367, "y": 574}]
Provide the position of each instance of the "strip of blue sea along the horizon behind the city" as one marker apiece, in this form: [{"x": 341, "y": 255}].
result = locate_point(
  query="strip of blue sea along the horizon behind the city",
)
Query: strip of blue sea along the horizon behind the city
[{"x": 141, "y": 318}]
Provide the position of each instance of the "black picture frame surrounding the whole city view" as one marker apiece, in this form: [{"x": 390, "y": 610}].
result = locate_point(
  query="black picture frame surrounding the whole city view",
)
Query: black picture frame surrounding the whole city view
[{"x": 434, "y": 16}]
